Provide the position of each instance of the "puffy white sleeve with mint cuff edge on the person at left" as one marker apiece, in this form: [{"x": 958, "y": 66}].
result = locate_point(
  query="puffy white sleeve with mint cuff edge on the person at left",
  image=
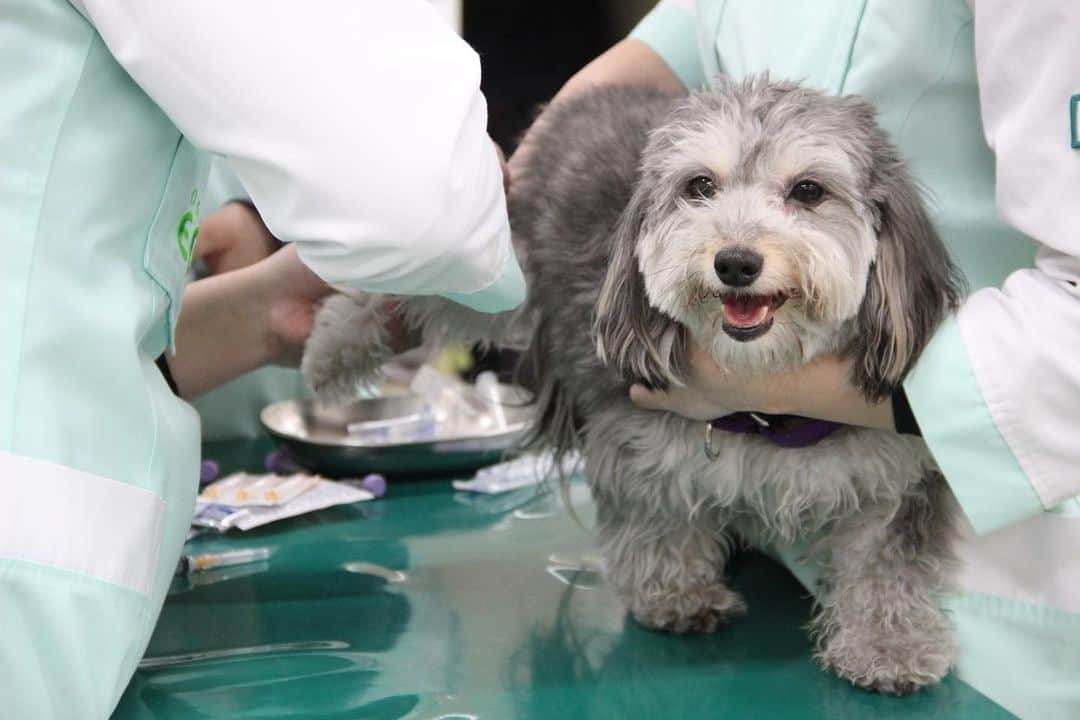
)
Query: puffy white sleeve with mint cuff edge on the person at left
[{"x": 358, "y": 129}]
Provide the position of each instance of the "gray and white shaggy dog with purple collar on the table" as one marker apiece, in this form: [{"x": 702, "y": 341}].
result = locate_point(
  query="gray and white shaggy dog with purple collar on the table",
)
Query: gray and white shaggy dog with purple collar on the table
[{"x": 773, "y": 225}]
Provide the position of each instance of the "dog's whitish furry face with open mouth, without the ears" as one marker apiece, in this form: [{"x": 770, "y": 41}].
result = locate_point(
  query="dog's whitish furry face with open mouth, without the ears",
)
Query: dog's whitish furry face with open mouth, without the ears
[{"x": 763, "y": 237}]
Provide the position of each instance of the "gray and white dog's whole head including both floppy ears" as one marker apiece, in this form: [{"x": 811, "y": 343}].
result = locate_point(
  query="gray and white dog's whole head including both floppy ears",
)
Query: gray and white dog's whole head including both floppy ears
[{"x": 774, "y": 224}]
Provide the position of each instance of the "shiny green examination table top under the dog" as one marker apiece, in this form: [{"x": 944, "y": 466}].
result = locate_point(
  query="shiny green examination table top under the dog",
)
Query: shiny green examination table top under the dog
[{"x": 435, "y": 605}]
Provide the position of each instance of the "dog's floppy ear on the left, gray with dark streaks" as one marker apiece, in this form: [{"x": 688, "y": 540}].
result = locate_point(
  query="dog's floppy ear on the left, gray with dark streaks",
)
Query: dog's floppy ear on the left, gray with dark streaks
[{"x": 631, "y": 335}]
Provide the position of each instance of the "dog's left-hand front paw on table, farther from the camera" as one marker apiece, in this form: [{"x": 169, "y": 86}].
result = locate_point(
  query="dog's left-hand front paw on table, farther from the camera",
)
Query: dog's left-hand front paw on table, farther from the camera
[{"x": 696, "y": 609}]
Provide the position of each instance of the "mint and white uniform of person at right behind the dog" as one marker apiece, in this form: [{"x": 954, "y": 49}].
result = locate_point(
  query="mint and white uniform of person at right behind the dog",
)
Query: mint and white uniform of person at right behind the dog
[{"x": 1008, "y": 454}]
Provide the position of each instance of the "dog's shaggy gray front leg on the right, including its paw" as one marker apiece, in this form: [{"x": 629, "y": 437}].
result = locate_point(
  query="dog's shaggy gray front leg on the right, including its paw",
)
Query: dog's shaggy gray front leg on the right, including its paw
[{"x": 881, "y": 624}]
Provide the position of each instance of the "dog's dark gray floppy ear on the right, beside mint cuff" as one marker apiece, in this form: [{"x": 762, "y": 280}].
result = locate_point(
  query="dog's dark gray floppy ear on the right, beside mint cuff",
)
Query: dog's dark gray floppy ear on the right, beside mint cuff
[{"x": 912, "y": 286}]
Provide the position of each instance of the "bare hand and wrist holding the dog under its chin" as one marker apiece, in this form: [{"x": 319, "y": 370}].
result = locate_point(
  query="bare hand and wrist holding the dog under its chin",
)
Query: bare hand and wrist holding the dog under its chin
[{"x": 819, "y": 390}]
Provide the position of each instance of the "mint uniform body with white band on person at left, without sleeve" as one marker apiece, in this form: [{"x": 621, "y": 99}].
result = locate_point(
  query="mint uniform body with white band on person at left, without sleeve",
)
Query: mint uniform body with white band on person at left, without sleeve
[{"x": 93, "y": 186}]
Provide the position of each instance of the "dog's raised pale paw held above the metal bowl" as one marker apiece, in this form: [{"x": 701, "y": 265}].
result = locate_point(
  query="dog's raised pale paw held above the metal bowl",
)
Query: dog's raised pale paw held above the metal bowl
[{"x": 347, "y": 348}]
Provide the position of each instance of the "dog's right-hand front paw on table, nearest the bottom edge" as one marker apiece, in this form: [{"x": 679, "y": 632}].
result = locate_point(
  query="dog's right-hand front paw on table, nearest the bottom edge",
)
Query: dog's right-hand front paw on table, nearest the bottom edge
[{"x": 892, "y": 662}]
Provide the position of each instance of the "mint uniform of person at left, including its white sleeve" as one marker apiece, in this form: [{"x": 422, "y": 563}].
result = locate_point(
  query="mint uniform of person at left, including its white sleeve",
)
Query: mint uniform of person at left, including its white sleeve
[{"x": 104, "y": 104}]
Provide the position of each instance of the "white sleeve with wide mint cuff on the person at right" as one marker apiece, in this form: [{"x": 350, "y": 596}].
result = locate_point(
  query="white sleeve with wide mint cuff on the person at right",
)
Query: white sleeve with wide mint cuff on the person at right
[{"x": 997, "y": 392}]
